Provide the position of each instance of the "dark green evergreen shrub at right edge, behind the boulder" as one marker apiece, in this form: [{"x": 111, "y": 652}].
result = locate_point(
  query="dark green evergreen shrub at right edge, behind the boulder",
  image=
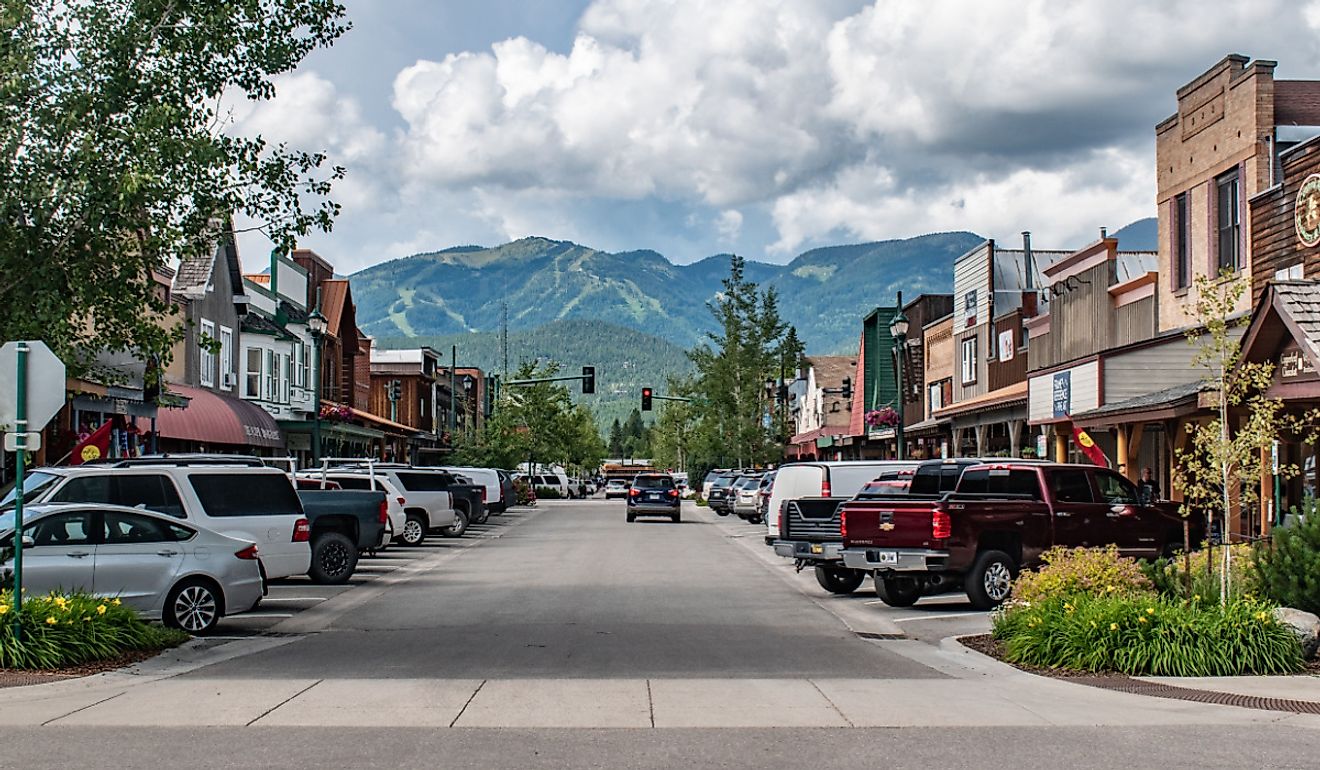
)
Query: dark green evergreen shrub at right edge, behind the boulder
[{"x": 1289, "y": 569}]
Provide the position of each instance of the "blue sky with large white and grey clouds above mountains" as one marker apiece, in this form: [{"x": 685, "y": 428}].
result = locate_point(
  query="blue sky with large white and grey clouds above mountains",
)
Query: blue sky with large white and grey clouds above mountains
[{"x": 760, "y": 127}]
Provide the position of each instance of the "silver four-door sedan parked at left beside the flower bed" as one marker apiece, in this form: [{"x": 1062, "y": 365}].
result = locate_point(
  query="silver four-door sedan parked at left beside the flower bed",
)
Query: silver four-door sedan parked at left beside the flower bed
[{"x": 167, "y": 570}]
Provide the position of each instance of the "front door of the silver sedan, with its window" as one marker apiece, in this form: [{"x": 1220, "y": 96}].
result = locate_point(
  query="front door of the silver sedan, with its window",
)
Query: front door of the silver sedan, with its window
[{"x": 63, "y": 555}]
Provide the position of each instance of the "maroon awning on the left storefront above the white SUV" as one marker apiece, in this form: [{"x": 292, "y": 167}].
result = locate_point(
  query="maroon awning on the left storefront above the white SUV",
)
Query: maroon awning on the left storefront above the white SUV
[{"x": 217, "y": 419}]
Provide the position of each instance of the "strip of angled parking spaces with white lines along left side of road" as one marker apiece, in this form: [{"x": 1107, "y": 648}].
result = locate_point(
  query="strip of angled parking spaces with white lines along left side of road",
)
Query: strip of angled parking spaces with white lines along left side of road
[{"x": 291, "y": 596}]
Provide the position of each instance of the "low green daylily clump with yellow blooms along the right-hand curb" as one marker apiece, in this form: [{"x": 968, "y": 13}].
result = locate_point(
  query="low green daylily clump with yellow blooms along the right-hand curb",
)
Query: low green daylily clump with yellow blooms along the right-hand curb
[{"x": 1149, "y": 636}]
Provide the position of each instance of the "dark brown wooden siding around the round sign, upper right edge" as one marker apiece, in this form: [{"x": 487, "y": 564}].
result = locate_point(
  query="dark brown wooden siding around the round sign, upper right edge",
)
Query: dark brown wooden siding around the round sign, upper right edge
[{"x": 1274, "y": 237}]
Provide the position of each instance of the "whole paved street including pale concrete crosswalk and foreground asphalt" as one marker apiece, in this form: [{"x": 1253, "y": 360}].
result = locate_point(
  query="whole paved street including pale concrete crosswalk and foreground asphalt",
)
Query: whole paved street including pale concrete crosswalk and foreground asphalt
[{"x": 523, "y": 644}]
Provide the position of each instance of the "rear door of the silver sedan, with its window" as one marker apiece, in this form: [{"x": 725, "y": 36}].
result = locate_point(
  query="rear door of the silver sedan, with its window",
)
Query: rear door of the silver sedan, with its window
[{"x": 139, "y": 558}]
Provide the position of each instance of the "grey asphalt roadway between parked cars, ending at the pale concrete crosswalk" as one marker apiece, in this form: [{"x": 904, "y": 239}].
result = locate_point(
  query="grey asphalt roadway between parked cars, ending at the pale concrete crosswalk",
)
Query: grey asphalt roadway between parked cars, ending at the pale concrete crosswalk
[{"x": 577, "y": 592}]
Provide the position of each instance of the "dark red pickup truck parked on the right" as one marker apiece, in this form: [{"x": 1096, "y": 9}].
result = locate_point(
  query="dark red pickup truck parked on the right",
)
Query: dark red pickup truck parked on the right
[{"x": 1000, "y": 520}]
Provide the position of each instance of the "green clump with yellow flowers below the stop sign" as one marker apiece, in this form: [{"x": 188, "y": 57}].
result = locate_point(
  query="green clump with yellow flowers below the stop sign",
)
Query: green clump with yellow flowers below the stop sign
[{"x": 67, "y": 631}]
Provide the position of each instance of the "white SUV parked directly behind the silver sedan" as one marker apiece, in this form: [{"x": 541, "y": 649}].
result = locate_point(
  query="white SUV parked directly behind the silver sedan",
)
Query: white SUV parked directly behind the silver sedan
[{"x": 234, "y": 499}]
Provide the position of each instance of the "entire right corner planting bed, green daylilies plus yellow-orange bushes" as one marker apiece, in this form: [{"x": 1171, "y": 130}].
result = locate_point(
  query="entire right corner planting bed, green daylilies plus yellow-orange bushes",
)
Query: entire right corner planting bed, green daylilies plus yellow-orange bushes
[{"x": 1092, "y": 611}]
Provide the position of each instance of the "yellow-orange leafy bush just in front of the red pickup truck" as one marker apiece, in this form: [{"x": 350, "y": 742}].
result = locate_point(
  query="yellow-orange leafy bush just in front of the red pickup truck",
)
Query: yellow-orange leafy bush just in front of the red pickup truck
[{"x": 1082, "y": 571}]
